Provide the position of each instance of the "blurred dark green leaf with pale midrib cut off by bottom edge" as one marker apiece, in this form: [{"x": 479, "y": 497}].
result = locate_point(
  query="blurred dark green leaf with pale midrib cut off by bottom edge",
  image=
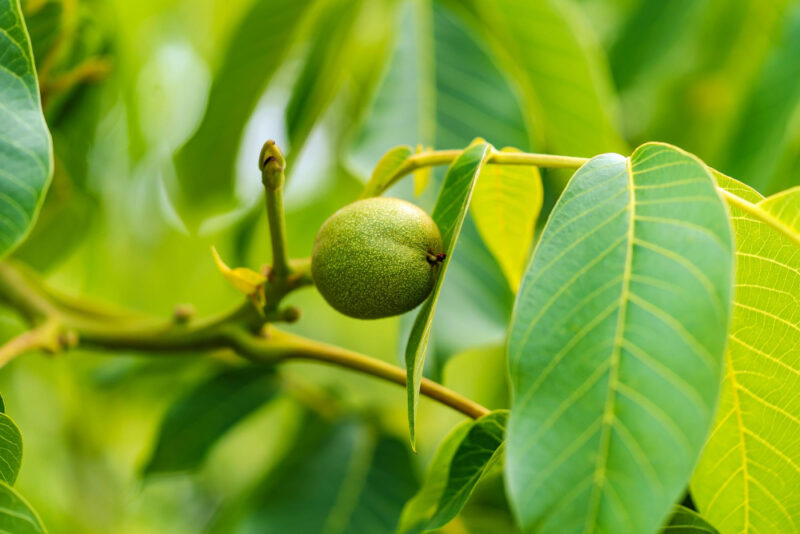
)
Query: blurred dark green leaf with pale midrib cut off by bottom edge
[{"x": 340, "y": 479}]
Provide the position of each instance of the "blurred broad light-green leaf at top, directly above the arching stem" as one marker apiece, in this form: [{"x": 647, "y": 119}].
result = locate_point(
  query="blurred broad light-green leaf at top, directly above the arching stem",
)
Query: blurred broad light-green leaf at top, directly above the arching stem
[{"x": 565, "y": 86}]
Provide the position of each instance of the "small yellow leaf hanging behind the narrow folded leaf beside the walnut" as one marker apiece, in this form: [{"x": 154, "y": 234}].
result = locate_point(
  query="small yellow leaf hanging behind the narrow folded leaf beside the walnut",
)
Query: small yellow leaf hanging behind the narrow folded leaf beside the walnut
[{"x": 505, "y": 207}]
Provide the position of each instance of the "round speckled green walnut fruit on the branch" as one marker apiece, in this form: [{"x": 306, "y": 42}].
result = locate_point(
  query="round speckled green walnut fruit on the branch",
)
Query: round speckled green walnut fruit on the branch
[{"x": 377, "y": 257}]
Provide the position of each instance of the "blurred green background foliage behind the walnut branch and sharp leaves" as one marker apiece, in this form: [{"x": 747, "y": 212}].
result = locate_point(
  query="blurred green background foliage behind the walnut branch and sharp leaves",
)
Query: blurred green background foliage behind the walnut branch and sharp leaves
[{"x": 158, "y": 109}]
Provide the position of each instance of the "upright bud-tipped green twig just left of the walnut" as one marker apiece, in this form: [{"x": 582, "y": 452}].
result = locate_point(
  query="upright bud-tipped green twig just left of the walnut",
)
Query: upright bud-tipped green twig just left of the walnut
[{"x": 272, "y": 165}]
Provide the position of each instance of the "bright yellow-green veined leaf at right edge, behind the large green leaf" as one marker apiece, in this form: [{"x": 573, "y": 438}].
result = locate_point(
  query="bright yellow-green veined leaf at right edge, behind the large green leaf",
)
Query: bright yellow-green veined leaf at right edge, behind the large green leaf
[{"x": 747, "y": 478}]
